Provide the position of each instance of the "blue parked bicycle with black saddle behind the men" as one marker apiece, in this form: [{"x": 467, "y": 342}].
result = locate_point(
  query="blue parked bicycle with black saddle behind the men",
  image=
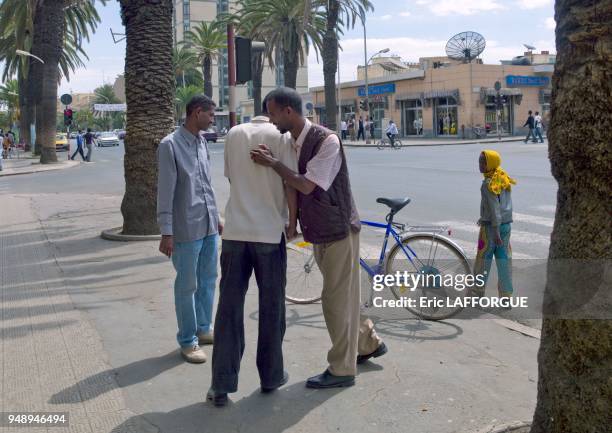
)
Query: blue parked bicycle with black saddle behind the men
[{"x": 418, "y": 250}]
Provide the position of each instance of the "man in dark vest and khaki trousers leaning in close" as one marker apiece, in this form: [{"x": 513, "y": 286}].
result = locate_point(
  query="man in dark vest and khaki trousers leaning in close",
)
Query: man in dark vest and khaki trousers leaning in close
[{"x": 329, "y": 220}]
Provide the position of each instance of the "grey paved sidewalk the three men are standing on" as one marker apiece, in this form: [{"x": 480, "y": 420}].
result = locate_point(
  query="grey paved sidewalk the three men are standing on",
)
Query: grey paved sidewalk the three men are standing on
[{"x": 88, "y": 327}]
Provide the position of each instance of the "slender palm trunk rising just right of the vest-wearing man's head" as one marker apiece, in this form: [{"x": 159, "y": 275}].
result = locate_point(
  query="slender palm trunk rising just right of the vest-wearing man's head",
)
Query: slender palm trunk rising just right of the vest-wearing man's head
[{"x": 330, "y": 63}]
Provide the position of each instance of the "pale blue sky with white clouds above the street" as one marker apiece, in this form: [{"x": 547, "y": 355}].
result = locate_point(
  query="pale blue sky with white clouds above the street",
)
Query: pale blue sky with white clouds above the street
[{"x": 409, "y": 28}]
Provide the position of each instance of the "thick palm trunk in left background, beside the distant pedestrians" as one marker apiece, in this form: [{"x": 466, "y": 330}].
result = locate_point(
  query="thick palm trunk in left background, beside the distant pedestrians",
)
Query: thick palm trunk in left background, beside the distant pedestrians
[{"x": 52, "y": 28}]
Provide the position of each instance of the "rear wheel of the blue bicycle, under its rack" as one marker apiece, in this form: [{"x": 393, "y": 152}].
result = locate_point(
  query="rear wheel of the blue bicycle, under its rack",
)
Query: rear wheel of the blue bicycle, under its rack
[{"x": 436, "y": 276}]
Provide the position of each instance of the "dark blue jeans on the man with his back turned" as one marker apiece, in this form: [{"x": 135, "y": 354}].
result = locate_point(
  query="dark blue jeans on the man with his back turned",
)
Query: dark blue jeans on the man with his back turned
[{"x": 238, "y": 261}]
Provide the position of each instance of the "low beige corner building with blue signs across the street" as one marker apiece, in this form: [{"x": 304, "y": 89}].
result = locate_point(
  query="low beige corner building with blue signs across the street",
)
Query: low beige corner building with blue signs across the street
[{"x": 449, "y": 101}]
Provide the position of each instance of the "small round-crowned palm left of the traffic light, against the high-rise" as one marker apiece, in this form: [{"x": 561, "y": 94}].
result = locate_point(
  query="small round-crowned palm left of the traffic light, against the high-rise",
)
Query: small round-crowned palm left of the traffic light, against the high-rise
[{"x": 207, "y": 39}]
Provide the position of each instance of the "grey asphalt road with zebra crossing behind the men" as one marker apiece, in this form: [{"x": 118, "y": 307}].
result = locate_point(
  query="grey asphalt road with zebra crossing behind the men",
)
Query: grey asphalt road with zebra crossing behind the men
[{"x": 443, "y": 183}]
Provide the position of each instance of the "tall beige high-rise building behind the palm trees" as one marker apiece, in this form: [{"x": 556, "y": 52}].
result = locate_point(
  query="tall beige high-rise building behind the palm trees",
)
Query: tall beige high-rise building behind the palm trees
[{"x": 187, "y": 15}]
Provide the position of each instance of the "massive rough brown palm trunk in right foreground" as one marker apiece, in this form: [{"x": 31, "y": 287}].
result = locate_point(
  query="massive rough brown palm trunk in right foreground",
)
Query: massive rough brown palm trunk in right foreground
[{"x": 575, "y": 357}]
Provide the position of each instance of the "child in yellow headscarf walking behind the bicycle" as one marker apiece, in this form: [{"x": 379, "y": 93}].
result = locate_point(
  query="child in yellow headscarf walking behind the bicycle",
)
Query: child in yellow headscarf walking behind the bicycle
[{"x": 495, "y": 223}]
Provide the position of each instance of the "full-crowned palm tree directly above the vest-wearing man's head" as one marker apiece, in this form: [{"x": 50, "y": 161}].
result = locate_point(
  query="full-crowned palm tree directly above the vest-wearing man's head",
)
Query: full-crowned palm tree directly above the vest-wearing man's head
[{"x": 288, "y": 27}]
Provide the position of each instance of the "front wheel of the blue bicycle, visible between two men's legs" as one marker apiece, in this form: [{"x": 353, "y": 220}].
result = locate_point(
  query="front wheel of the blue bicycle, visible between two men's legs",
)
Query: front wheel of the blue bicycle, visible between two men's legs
[{"x": 304, "y": 279}]
